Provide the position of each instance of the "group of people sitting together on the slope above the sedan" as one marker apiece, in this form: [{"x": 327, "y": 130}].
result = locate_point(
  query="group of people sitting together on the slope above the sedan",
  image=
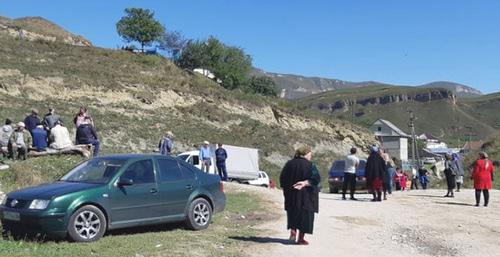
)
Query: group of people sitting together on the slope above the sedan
[{"x": 38, "y": 134}]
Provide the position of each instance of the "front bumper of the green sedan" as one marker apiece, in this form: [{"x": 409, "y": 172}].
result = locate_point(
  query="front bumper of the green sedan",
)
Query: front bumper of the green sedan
[{"x": 35, "y": 221}]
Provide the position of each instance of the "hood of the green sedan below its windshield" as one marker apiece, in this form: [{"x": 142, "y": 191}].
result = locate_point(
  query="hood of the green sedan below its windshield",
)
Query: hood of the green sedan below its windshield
[{"x": 48, "y": 191}]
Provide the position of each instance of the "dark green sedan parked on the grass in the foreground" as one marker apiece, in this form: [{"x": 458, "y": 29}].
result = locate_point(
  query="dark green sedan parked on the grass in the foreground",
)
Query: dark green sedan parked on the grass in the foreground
[{"x": 114, "y": 192}]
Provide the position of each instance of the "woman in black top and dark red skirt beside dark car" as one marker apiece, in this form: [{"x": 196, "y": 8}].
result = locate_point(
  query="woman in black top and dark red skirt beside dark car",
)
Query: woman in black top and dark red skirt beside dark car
[{"x": 374, "y": 173}]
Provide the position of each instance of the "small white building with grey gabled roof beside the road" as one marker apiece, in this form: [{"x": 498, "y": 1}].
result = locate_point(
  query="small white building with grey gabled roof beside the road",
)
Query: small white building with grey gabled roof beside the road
[{"x": 392, "y": 139}]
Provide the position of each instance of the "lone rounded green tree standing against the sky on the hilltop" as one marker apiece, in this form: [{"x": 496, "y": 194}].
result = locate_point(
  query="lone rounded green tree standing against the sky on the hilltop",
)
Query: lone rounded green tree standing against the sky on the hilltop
[{"x": 139, "y": 25}]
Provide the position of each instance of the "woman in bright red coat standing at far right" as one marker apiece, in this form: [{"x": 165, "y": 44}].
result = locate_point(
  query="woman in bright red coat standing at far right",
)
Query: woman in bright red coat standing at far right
[{"x": 482, "y": 176}]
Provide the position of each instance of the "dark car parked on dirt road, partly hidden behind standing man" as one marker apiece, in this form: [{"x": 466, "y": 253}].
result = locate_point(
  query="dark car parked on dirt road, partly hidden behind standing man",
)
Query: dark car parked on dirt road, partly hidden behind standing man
[{"x": 336, "y": 176}]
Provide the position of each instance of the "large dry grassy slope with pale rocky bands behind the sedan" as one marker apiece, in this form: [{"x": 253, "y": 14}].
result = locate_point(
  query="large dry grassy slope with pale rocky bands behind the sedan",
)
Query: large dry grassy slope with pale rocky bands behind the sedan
[{"x": 135, "y": 98}]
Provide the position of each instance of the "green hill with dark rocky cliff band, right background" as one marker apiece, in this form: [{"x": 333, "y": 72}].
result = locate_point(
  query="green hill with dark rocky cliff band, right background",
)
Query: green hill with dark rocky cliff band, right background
[{"x": 438, "y": 111}]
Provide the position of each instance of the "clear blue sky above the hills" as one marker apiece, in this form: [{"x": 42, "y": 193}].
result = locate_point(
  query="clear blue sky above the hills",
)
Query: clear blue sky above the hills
[{"x": 399, "y": 42}]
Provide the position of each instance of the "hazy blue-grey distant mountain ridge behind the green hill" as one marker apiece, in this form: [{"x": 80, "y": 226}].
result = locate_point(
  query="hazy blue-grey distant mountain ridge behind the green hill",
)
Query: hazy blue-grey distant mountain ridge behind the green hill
[{"x": 292, "y": 86}]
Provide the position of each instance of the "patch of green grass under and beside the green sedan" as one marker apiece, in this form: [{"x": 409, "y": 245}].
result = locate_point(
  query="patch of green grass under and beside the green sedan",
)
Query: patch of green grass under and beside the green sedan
[{"x": 165, "y": 240}]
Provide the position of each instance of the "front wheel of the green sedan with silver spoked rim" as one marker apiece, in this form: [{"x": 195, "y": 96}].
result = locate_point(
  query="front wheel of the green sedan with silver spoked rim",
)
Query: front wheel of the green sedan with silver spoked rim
[{"x": 87, "y": 224}]
